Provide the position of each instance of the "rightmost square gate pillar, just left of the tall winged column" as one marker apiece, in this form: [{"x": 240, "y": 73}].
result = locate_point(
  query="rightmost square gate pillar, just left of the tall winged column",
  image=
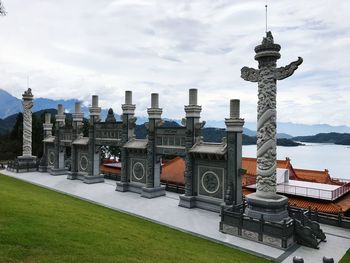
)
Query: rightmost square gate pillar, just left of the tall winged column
[{"x": 234, "y": 129}]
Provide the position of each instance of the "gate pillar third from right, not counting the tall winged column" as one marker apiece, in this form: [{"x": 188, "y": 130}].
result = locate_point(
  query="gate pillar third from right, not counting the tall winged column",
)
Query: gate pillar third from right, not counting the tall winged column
[{"x": 153, "y": 187}]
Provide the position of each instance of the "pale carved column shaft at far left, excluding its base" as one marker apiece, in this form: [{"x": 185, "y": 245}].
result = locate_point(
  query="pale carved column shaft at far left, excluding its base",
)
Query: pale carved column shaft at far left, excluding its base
[{"x": 27, "y": 103}]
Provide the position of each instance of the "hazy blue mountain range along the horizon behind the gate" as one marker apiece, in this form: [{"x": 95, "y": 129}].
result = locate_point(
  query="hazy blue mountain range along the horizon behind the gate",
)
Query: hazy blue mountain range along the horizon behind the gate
[{"x": 10, "y": 106}]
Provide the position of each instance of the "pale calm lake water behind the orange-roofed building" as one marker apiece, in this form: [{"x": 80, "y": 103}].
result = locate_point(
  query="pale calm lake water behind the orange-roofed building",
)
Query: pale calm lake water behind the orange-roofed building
[{"x": 315, "y": 156}]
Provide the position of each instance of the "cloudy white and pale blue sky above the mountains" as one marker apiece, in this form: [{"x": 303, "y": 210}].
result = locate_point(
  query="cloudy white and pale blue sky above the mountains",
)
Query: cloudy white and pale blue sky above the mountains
[{"x": 73, "y": 49}]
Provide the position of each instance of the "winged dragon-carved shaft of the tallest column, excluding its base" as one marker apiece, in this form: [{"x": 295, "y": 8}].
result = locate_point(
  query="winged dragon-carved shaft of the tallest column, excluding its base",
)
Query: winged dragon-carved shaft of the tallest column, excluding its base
[{"x": 267, "y": 75}]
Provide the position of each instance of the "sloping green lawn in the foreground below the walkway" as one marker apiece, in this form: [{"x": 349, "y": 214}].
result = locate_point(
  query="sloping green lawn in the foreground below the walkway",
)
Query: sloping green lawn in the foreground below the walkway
[{"x": 39, "y": 225}]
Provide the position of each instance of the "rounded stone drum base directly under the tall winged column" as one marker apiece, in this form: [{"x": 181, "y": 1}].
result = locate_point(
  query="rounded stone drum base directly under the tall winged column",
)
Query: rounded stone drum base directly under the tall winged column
[{"x": 272, "y": 210}]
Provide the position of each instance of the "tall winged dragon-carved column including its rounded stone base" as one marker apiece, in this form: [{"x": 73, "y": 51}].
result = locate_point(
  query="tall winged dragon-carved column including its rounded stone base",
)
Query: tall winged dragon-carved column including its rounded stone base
[{"x": 265, "y": 202}]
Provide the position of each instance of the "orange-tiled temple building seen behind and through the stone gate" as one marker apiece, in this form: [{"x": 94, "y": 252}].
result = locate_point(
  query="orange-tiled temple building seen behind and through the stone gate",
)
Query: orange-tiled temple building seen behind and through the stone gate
[{"x": 172, "y": 174}]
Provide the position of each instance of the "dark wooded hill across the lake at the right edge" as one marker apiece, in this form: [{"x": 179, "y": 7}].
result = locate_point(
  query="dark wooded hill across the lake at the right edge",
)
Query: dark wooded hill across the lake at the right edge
[{"x": 333, "y": 137}]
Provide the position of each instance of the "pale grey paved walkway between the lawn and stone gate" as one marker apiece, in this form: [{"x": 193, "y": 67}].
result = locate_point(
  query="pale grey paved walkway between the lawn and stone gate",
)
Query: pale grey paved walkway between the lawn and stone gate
[{"x": 165, "y": 210}]
